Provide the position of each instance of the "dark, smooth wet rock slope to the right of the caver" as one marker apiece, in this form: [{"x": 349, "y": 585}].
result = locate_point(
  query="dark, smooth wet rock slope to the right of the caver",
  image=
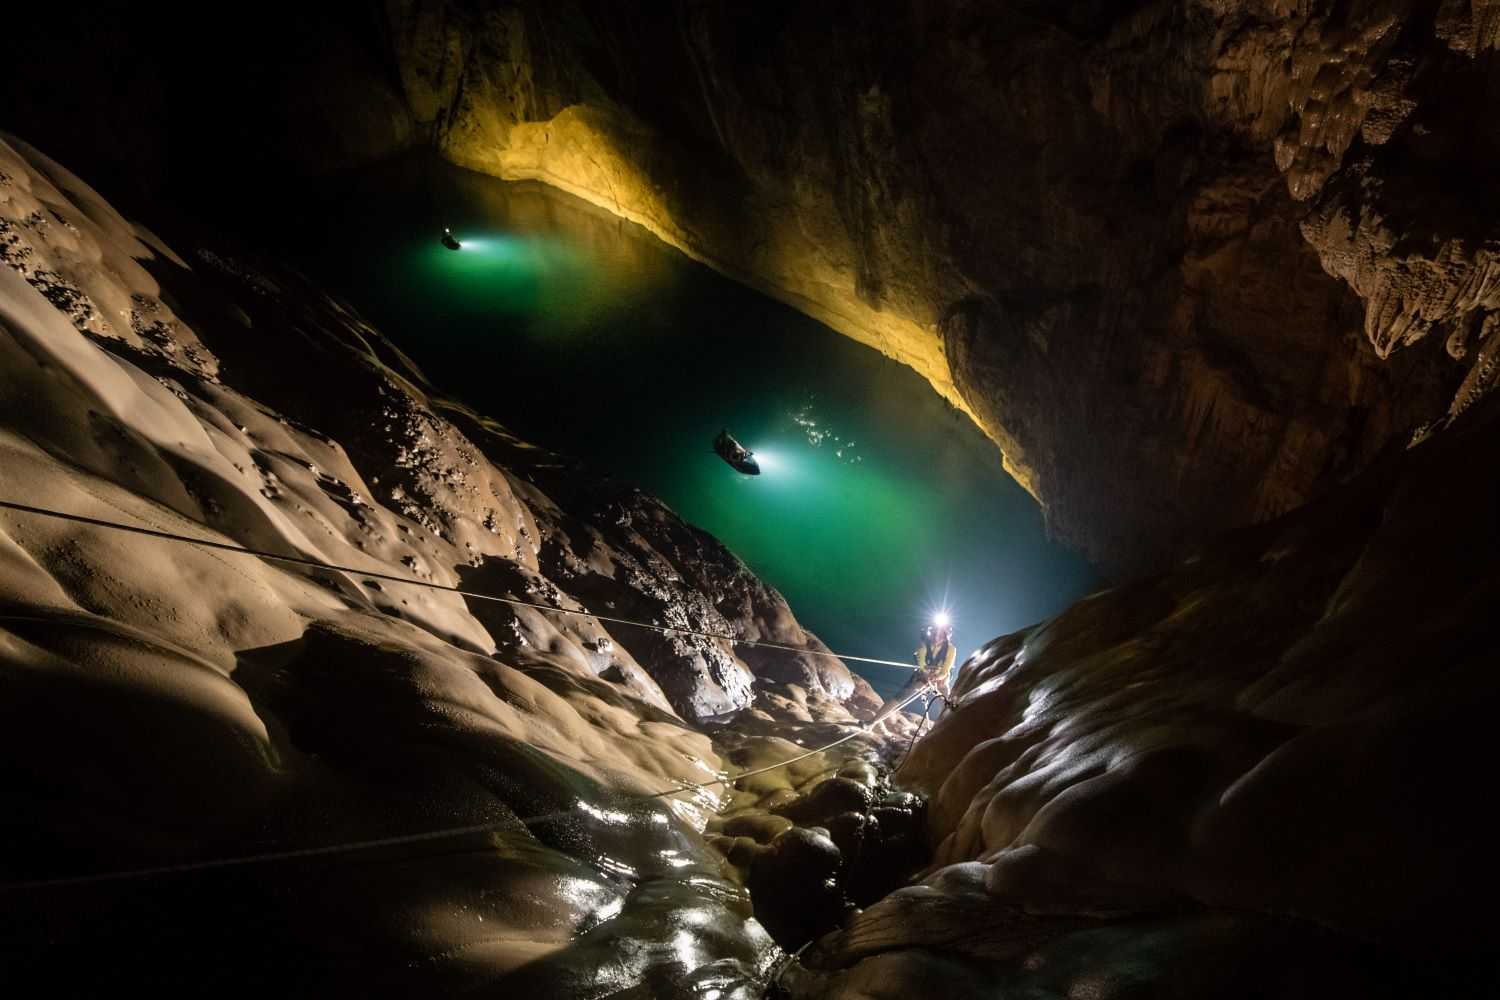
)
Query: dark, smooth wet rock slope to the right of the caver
[{"x": 1252, "y": 776}]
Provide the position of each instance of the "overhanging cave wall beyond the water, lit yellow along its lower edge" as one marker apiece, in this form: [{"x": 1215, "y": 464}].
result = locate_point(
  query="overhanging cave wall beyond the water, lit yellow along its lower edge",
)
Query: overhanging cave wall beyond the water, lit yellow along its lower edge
[{"x": 1187, "y": 263}]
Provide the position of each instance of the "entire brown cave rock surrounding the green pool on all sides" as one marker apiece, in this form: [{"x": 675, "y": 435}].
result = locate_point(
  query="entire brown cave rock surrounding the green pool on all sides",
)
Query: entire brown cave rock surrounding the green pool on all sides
[{"x": 1192, "y": 263}]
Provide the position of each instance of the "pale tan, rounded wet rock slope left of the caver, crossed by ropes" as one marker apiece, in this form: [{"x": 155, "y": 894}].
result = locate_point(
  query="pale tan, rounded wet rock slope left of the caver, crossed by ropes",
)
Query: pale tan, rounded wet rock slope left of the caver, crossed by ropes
[{"x": 467, "y": 789}]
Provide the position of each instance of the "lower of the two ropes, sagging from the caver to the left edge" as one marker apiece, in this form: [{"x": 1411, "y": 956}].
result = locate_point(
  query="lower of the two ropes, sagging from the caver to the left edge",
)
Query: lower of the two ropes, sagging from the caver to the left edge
[{"x": 431, "y": 836}]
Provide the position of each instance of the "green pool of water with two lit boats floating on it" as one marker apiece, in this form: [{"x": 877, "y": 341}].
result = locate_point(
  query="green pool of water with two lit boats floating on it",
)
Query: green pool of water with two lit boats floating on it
[{"x": 878, "y": 503}]
